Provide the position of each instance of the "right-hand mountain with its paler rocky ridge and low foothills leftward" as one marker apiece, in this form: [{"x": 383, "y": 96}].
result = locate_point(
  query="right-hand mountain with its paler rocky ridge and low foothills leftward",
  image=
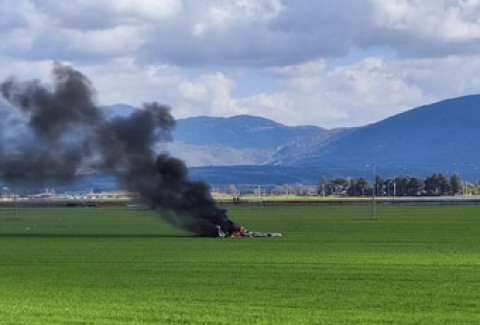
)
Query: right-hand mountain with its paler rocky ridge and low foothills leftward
[{"x": 436, "y": 138}]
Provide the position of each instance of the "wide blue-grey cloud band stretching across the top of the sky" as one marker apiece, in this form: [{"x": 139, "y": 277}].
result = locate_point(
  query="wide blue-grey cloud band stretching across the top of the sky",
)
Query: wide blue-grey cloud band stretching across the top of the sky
[{"x": 303, "y": 30}]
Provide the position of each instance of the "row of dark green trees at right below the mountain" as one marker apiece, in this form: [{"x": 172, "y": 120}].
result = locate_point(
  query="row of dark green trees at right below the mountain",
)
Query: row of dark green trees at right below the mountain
[{"x": 433, "y": 185}]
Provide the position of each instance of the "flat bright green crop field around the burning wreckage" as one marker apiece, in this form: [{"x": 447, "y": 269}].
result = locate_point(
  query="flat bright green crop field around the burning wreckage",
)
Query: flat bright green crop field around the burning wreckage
[{"x": 333, "y": 265}]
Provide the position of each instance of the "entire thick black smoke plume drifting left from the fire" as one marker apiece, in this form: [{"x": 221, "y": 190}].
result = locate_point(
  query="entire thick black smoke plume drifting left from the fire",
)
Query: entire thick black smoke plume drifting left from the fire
[{"x": 61, "y": 131}]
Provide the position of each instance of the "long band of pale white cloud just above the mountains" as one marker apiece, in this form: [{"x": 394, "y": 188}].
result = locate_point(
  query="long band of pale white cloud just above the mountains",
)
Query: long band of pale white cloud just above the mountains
[{"x": 311, "y": 93}]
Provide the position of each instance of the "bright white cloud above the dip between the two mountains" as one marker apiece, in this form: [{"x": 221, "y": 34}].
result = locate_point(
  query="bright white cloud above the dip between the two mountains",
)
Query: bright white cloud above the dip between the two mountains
[{"x": 313, "y": 93}]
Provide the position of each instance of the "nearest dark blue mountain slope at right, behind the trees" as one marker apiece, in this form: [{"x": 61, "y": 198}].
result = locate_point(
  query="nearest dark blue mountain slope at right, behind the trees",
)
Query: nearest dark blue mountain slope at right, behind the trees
[{"x": 441, "y": 137}]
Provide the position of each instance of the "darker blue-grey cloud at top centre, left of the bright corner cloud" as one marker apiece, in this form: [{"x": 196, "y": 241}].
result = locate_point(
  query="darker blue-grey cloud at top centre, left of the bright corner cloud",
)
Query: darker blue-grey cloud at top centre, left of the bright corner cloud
[{"x": 304, "y": 30}]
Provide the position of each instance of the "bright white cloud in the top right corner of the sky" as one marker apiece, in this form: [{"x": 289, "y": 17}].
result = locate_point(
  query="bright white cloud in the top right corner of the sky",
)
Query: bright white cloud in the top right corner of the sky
[{"x": 429, "y": 28}]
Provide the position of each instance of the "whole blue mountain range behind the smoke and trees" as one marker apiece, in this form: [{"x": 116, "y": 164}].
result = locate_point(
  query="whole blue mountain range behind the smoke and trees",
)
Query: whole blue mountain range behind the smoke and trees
[{"x": 437, "y": 138}]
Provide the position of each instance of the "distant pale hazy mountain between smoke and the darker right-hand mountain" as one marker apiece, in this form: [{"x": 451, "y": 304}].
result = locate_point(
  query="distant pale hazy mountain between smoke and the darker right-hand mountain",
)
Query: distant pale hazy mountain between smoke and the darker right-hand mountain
[{"x": 237, "y": 140}]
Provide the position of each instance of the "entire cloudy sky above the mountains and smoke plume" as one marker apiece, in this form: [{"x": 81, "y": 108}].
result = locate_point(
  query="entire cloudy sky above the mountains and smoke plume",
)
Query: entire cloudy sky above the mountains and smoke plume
[{"x": 330, "y": 63}]
